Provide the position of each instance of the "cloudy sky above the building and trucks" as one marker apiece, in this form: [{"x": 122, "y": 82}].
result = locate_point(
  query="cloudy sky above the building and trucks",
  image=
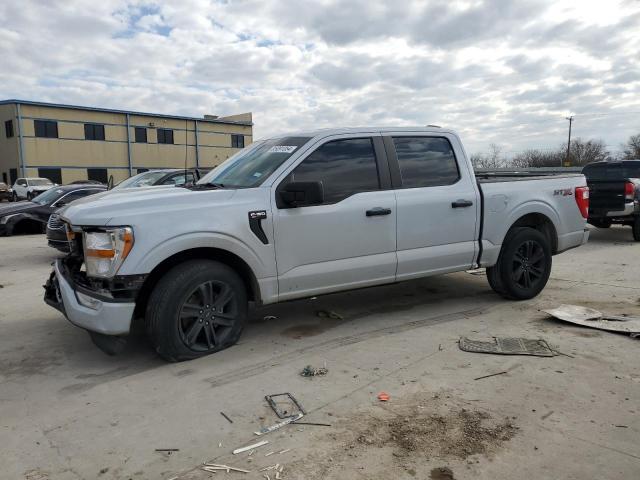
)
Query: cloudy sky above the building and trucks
[{"x": 498, "y": 71}]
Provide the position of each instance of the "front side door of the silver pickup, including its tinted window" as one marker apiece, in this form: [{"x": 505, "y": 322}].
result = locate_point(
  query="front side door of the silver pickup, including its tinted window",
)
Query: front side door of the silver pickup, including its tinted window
[{"x": 347, "y": 241}]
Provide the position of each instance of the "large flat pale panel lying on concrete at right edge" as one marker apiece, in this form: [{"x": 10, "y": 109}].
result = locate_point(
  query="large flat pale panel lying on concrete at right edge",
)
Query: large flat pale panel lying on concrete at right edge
[{"x": 588, "y": 317}]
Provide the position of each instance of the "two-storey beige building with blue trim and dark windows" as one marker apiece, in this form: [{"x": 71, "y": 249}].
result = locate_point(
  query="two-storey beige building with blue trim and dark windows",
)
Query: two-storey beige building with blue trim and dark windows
[{"x": 67, "y": 143}]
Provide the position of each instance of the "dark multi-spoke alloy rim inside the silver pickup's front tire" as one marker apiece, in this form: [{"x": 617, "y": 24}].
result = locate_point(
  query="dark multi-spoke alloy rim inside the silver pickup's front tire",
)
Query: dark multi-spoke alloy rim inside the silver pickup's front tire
[{"x": 208, "y": 315}]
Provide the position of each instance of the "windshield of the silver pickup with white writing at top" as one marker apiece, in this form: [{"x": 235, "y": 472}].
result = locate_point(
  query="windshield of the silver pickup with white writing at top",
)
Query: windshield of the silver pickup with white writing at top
[{"x": 253, "y": 165}]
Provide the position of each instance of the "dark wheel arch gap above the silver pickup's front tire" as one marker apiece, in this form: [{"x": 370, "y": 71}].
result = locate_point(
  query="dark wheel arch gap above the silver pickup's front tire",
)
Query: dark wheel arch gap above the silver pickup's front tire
[{"x": 240, "y": 266}]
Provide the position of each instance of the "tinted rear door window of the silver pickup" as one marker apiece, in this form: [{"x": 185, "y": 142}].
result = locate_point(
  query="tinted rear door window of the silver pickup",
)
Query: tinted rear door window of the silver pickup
[{"x": 426, "y": 161}]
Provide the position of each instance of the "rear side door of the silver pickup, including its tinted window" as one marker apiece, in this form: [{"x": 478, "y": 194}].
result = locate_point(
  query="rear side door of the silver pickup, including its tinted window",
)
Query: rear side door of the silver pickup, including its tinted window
[{"x": 437, "y": 205}]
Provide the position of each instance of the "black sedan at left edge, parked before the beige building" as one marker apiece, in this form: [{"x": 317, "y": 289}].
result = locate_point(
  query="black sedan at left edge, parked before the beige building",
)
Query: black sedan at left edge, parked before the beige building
[{"x": 32, "y": 216}]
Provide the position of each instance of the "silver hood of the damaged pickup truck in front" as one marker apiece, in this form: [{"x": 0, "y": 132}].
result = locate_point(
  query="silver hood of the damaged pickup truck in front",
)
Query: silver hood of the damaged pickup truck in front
[{"x": 117, "y": 207}]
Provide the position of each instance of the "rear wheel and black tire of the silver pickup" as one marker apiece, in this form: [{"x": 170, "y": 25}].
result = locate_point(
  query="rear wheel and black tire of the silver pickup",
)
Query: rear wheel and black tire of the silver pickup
[{"x": 524, "y": 265}]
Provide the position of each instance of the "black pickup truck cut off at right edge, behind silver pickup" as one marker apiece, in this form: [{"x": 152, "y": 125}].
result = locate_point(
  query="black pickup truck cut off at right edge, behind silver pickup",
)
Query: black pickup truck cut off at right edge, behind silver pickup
[{"x": 614, "y": 194}]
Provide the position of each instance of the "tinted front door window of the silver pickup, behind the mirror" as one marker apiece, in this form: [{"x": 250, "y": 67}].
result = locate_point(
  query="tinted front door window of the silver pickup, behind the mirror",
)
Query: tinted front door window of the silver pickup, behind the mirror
[{"x": 344, "y": 167}]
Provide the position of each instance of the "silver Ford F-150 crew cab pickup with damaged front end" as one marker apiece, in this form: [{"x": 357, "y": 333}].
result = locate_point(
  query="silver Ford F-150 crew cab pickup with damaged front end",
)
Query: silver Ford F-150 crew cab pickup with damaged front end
[{"x": 300, "y": 215}]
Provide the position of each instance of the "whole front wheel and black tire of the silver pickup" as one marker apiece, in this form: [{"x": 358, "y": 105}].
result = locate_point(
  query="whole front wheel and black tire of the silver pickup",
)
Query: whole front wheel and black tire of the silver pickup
[{"x": 197, "y": 308}]
